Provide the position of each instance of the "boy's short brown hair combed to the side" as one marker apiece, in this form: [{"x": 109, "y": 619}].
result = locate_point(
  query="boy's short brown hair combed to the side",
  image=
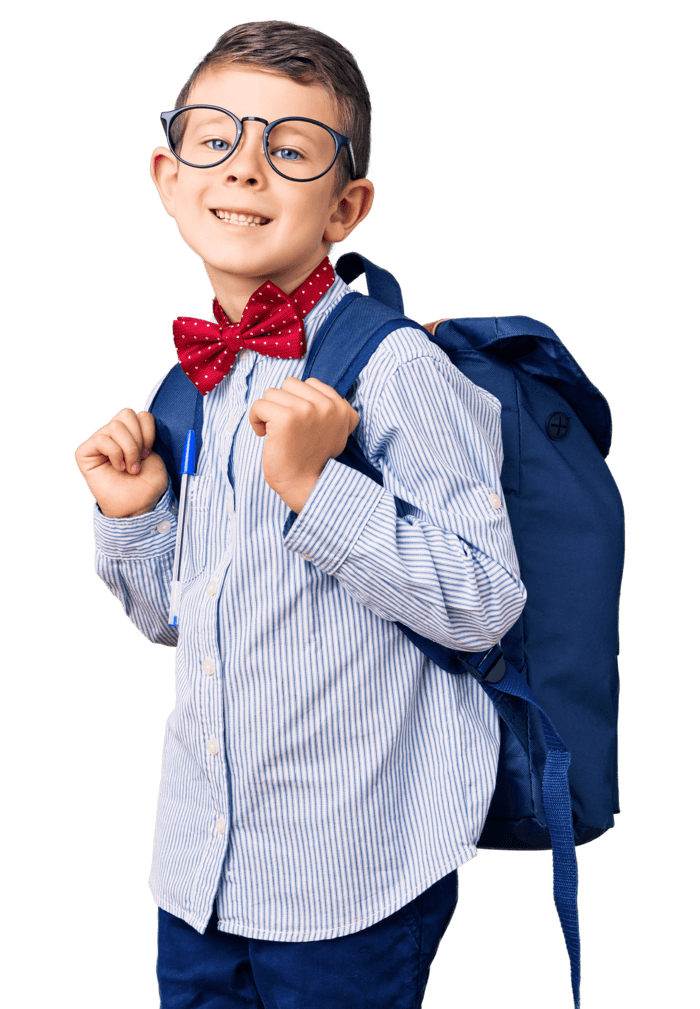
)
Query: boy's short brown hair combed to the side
[{"x": 308, "y": 57}]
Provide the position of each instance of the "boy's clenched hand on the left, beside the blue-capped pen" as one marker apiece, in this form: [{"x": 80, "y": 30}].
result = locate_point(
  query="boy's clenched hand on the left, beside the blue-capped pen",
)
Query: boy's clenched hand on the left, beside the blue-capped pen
[{"x": 124, "y": 476}]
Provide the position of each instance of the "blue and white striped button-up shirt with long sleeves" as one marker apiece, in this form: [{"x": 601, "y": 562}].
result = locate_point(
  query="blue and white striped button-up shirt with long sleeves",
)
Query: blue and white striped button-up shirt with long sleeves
[{"x": 319, "y": 772}]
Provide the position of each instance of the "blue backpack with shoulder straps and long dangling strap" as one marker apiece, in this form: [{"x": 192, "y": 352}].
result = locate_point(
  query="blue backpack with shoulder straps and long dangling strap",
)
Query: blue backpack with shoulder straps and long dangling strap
[{"x": 556, "y": 789}]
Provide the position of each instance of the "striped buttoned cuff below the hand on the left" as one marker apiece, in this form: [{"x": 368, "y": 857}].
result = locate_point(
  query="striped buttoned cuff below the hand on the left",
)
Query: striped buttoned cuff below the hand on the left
[{"x": 149, "y": 535}]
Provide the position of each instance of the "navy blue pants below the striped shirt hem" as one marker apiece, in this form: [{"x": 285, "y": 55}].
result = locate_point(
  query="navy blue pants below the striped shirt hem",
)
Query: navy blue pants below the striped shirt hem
[{"x": 384, "y": 967}]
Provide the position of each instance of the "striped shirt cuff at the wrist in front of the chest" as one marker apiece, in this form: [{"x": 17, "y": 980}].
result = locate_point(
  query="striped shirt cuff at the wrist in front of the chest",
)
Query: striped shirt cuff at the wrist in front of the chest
[{"x": 334, "y": 516}]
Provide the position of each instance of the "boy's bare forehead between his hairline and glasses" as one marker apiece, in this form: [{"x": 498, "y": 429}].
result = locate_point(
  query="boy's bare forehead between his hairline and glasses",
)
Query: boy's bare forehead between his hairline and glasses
[{"x": 248, "y": 92}]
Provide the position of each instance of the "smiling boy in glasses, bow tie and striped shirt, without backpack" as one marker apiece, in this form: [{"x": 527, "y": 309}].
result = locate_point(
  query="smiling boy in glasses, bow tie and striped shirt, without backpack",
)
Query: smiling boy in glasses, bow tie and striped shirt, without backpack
[{"x": 322, "y": 780}]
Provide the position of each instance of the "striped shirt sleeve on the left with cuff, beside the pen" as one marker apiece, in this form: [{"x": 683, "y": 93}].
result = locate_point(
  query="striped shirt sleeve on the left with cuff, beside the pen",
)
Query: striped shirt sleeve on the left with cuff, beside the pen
[{"x": 135, "y": 559}]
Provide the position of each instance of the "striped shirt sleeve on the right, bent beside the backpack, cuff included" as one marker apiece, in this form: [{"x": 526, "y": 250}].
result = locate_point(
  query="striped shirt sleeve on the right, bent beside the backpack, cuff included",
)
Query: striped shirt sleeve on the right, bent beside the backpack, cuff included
[{"x": 442, "y": 560}]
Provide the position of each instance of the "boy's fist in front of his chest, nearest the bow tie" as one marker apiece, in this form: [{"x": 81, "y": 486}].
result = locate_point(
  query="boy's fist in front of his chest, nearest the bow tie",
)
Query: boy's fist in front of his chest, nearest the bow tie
[{"x": 305, "y": 424}]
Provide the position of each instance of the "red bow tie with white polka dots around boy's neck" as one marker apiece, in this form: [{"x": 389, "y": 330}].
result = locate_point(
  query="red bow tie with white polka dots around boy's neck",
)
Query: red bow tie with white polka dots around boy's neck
[{"x": 272, "y": 324}]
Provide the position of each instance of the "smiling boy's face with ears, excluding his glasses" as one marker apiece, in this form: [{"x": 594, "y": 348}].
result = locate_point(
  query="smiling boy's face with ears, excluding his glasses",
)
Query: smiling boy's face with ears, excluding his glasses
[{"x": 304, "y": 218}]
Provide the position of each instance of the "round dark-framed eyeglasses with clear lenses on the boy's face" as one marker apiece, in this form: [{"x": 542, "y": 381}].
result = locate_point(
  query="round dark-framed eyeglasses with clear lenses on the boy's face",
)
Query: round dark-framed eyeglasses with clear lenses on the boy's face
[{"x": 206, "y": 136}]
